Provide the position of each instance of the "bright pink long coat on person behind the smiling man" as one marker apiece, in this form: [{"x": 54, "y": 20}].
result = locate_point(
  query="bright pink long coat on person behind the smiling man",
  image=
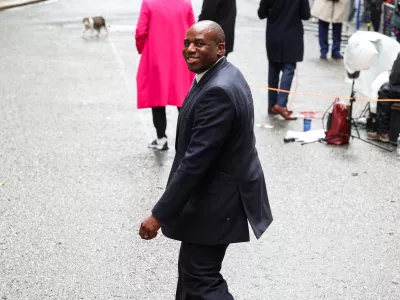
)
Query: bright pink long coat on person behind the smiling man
[{"x": 163, "y": 77}]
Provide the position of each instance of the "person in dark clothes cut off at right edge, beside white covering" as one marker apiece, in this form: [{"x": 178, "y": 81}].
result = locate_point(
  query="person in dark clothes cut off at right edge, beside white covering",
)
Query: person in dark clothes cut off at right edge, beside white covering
[{"x": 390, "y": 90}]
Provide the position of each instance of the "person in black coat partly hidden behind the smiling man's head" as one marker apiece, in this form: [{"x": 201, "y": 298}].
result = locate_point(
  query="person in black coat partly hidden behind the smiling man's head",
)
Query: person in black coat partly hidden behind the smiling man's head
[{"x": 222, "y": 12}]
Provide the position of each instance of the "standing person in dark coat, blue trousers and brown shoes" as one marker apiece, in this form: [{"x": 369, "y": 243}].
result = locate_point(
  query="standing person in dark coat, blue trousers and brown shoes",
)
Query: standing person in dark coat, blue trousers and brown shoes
[{"x": 285, "y": 47}]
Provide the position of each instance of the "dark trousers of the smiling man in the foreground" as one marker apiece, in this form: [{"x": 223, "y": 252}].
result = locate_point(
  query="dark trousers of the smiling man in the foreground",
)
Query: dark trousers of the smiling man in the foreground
[{"x": 199, "y": 275}]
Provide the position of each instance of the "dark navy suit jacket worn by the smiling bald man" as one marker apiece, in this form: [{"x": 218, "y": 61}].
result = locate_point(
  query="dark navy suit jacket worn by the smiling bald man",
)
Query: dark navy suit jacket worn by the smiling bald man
[{"x": 216, "y": 181}]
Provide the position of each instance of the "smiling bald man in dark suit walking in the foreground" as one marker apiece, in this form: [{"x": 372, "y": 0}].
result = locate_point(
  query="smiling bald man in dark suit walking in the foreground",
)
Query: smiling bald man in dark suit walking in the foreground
[{"x": 216, "y": 184}]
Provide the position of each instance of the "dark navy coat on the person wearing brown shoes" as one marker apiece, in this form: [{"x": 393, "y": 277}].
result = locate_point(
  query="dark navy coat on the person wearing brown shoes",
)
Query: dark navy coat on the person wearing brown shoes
[{"x": 285, "y": 33}]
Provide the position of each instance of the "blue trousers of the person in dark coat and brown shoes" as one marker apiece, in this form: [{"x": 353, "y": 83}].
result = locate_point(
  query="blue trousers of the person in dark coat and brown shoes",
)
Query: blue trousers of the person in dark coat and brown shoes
[{"x": 274, "y": 70}]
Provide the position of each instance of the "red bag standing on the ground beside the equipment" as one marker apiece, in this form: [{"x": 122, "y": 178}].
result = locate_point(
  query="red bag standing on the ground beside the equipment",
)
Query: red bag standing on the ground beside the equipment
[{"x": 339, "y": 130}]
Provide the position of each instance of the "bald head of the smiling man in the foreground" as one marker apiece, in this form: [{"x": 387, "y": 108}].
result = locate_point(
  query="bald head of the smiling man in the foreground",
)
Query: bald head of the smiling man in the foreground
[{"x": 204, "y": 46}]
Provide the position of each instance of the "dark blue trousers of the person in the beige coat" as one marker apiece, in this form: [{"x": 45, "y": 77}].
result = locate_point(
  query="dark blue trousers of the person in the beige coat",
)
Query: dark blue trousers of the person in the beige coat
[{"x": 323, "y": 29}]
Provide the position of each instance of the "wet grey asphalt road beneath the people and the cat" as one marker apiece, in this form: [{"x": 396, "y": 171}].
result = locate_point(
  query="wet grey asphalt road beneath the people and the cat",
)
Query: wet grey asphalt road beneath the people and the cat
[{"x": 76, "y": 177}]
